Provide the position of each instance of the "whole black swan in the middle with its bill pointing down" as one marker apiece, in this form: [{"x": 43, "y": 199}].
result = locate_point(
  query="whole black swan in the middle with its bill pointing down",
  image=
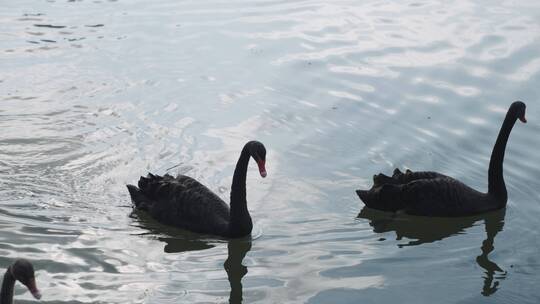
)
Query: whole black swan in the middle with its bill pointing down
[{"x": 184, "y": 202}]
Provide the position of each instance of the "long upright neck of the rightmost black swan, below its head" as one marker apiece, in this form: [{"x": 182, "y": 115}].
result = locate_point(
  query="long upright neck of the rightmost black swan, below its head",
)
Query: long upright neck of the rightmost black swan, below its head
[{"x": 496, "y": 186}]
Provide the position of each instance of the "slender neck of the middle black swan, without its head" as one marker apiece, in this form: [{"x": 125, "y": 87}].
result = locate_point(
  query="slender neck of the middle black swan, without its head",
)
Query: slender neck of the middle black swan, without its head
[{"x": 240, "y": 223}]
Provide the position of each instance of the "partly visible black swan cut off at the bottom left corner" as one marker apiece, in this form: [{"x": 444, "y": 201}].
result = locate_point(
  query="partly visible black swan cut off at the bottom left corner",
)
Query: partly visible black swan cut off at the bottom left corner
[{"x": 23, "y": 271}]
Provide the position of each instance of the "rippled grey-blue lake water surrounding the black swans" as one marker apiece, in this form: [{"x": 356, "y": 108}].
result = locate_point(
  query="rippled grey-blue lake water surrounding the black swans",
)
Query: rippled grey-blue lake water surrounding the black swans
[{"x": 96, "y": 93}]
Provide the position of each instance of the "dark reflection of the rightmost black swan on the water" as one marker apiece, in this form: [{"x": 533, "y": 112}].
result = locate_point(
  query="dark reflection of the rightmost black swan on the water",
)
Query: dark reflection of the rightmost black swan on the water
[{"x": 421, "y": 230}]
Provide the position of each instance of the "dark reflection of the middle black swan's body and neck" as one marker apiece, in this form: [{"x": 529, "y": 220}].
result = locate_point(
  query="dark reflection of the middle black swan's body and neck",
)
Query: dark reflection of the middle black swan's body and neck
[{"x": 179, "y": 240}]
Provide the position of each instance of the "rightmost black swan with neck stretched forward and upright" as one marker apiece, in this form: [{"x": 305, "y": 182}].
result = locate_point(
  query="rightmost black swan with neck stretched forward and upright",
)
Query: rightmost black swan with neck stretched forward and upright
[{"x": 435, "y": 194}]
